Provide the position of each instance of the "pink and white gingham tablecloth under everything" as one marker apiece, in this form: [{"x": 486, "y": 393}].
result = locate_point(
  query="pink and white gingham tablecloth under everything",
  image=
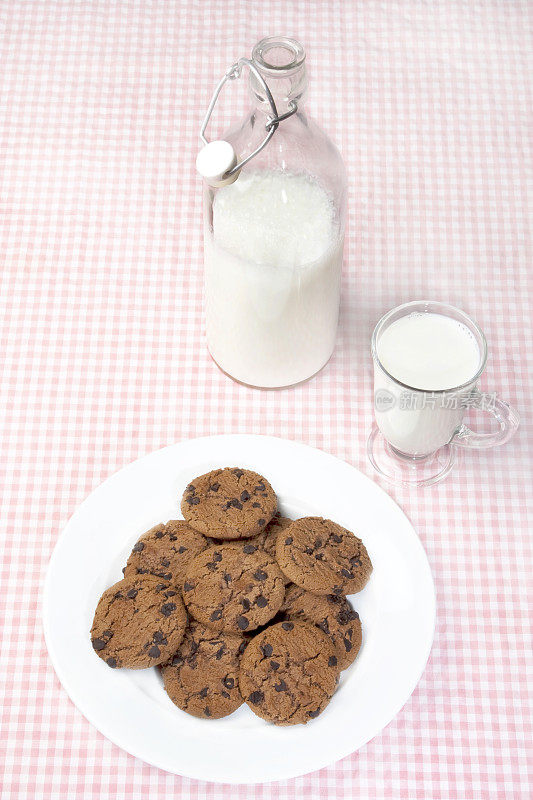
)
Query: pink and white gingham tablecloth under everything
[{"x": 104, "y": 356}]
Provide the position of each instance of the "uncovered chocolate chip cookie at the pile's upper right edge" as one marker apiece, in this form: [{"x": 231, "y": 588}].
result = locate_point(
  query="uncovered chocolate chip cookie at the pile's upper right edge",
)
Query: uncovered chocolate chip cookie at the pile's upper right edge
[{"x": 322, "y": 557}]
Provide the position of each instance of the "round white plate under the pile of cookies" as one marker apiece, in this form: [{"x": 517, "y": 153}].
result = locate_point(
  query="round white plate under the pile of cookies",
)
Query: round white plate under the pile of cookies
[{"x": 130, "y": 707}]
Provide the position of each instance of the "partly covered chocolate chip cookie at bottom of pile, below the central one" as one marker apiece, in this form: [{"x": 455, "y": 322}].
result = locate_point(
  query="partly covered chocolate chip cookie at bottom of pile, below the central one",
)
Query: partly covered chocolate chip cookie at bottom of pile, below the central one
[{"x": 202, "y": 678}]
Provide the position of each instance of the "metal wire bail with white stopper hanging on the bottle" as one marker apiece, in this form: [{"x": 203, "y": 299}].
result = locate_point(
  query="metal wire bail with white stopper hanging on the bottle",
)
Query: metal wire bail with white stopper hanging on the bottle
[{"x": 230, "y": 173}]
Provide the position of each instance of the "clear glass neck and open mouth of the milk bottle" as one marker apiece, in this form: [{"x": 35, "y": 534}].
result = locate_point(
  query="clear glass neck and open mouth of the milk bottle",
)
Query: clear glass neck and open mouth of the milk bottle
[{"x": 281, "y": 62}]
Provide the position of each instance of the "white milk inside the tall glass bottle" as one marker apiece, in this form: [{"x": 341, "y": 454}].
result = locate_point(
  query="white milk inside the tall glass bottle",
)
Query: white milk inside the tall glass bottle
[{"x": 273, "y": 268}]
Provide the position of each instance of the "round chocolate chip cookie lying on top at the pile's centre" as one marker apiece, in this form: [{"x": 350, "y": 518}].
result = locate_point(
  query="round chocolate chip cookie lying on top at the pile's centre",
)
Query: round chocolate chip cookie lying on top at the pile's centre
[{"x": 233, "y": 587}]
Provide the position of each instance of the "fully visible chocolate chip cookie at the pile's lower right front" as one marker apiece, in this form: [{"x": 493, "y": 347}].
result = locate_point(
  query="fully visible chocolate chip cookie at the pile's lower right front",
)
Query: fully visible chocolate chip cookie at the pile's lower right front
[{"x": 289, "y": 673}]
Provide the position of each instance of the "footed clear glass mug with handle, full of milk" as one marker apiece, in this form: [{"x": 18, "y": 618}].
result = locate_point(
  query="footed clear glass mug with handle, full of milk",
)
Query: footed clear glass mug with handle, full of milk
[{"x": 428, "y": 358}]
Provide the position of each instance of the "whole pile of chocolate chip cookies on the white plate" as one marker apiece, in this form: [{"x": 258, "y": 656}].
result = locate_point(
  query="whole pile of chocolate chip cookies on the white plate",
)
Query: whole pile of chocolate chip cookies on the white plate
[{"x": 236, "y": 603}]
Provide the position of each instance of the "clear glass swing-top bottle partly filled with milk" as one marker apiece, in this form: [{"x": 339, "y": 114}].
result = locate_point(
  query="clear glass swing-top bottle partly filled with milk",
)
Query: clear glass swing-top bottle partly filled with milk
[{"x": 274, "y": 218}]
